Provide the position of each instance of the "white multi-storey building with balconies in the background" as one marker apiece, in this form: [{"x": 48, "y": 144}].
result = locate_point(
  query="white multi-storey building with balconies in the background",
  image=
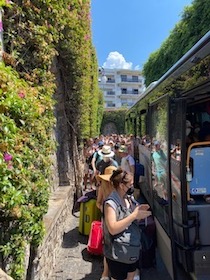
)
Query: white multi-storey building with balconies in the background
[{"x": 121, "y": 87}]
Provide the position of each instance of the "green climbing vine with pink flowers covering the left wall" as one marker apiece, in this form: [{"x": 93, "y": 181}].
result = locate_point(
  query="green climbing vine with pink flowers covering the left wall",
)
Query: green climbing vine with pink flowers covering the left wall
[{"x": 35, "y": 33}]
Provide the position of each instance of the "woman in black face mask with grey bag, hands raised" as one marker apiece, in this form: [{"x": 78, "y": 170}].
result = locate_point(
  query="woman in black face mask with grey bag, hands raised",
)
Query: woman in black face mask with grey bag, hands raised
[{"x": 121, "y": 215}]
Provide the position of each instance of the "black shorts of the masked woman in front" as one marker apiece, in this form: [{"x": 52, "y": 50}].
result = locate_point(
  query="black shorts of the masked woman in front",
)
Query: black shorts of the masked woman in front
[{"x": 119, "y": 270}]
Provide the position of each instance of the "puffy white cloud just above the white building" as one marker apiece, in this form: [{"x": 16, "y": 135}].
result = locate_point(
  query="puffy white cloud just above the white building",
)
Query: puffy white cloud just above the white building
[{"x": 116, "y": 60}]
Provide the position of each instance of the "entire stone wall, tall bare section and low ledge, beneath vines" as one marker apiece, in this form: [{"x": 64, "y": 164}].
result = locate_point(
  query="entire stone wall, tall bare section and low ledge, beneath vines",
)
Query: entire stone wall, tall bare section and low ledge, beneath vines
[{"x": 66, "y": 177}]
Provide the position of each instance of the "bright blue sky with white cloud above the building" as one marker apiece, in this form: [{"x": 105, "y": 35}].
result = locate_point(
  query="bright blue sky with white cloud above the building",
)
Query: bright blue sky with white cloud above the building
[{"x": 126, "y": 32}]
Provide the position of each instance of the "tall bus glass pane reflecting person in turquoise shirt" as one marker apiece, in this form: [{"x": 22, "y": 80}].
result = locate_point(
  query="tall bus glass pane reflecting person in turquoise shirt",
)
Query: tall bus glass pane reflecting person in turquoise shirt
[{"x": 159, "y": 162}]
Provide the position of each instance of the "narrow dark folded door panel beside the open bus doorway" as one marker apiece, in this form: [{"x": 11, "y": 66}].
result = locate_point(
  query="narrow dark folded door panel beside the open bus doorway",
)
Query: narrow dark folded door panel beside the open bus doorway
[{"x": 179, "y": 187}]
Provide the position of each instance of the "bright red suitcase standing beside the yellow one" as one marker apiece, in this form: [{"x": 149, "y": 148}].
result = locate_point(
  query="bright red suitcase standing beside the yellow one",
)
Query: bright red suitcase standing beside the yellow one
[{"x": 95, "y": 241}]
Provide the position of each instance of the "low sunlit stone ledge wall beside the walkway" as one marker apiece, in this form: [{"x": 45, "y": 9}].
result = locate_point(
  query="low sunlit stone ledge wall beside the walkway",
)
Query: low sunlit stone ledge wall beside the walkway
[{"x": 60, "y": 206}]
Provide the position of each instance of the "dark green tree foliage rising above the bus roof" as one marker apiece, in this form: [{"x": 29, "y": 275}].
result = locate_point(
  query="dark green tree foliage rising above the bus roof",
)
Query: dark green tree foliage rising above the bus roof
[{"x": 193, "y": 25}]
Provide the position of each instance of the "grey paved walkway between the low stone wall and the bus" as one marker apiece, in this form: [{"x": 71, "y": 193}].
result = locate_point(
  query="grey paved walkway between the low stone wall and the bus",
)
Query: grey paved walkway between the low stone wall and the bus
[{"x": 74, "y": 262}]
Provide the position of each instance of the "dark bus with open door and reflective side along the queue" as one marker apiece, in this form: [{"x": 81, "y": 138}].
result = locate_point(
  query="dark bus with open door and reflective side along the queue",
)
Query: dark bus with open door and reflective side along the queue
[{"x": 171, "y": 123}]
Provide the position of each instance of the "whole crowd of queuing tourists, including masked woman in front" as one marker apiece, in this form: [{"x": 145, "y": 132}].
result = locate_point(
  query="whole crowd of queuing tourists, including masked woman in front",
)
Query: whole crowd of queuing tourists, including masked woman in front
[{"x": 109, "y": 168}]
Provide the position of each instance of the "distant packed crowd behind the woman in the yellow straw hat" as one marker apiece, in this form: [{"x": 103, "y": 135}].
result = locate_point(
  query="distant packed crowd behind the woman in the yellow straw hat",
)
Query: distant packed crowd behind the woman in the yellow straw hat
[{"x": 103, "y": 151}]
